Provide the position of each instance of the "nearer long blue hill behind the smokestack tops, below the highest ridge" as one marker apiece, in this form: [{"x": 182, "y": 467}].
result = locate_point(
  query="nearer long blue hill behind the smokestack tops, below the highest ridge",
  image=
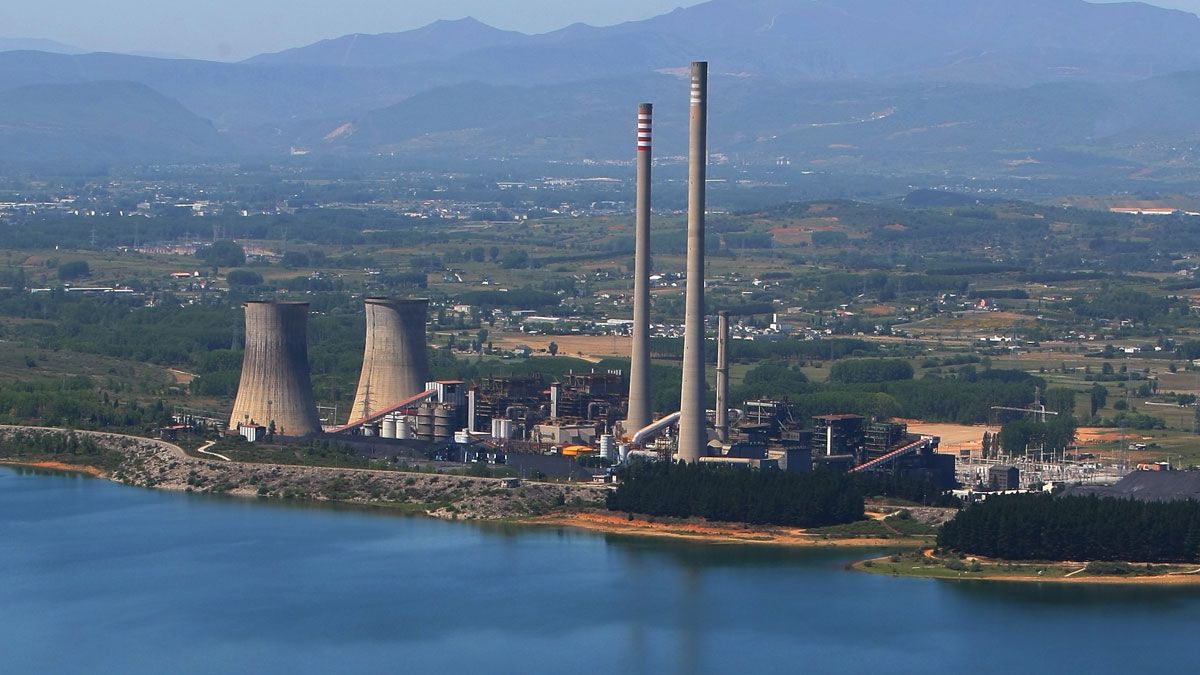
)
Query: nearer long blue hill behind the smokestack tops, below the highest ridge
[{"x": 1067, "y": 129}]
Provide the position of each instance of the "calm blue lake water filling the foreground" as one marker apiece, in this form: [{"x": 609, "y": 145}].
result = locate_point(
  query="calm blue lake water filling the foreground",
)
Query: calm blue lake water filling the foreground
[{"x": 103, "y": 578}]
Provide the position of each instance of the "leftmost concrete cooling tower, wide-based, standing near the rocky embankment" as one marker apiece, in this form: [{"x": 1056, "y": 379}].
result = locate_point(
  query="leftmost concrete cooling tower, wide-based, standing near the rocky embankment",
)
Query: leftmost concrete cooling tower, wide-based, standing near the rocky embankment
[{"x": 275, "y": 381}]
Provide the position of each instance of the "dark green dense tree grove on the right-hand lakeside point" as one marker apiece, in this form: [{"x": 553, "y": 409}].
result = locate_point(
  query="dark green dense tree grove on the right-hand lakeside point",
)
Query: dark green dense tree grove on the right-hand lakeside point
[{"x": 1078, "y": 529}]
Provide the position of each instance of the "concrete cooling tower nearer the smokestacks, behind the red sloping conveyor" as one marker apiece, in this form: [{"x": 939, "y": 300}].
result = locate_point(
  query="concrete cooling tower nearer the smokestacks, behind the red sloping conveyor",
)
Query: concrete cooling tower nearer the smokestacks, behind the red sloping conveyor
[{"x": 394, "y": 362}]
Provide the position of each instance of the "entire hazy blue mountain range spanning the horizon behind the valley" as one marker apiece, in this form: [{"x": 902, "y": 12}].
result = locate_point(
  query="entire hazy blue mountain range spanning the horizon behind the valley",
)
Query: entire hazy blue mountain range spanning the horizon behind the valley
[{"x": 980, "y": 87}]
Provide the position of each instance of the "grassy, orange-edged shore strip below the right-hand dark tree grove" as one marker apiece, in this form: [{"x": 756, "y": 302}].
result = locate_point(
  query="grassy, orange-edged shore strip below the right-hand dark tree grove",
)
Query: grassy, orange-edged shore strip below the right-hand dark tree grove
[{"x": 1063, "y": 574}]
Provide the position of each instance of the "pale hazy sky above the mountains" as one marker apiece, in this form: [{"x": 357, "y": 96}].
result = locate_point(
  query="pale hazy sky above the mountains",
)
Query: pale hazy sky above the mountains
[{"x": 236, "y": 29}]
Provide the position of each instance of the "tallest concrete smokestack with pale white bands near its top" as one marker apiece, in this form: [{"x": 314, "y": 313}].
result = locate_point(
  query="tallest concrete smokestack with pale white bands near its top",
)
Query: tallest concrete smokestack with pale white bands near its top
[{"x": 693, "y": 428}]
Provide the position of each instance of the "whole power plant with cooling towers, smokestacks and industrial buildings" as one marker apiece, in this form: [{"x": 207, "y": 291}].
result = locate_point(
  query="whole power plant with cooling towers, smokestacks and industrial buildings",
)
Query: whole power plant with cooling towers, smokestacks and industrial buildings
[{"x": 399, "y": 413}]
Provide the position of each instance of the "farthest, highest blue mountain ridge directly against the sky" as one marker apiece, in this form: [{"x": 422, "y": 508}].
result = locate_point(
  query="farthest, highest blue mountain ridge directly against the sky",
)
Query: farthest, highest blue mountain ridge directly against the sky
[{"x": 999, "y": 41}]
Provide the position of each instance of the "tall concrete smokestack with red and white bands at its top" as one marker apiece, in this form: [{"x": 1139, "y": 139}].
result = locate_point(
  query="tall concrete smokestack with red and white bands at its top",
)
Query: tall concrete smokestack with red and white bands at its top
[{"x": 639, "y": 411}]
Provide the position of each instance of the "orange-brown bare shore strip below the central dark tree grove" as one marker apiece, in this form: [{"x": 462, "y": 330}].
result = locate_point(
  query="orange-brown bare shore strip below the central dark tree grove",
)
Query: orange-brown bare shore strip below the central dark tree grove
[{"x": 619, "y": 523}]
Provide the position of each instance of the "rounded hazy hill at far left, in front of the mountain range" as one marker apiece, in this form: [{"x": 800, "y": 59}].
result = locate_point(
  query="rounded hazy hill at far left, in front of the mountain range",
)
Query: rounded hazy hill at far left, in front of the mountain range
[{"x": 101, "y": 123}]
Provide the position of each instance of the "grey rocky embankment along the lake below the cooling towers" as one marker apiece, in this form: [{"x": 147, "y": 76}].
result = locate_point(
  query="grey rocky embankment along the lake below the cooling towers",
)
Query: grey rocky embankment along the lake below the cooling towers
[{"x": 157, "y": 464}]
